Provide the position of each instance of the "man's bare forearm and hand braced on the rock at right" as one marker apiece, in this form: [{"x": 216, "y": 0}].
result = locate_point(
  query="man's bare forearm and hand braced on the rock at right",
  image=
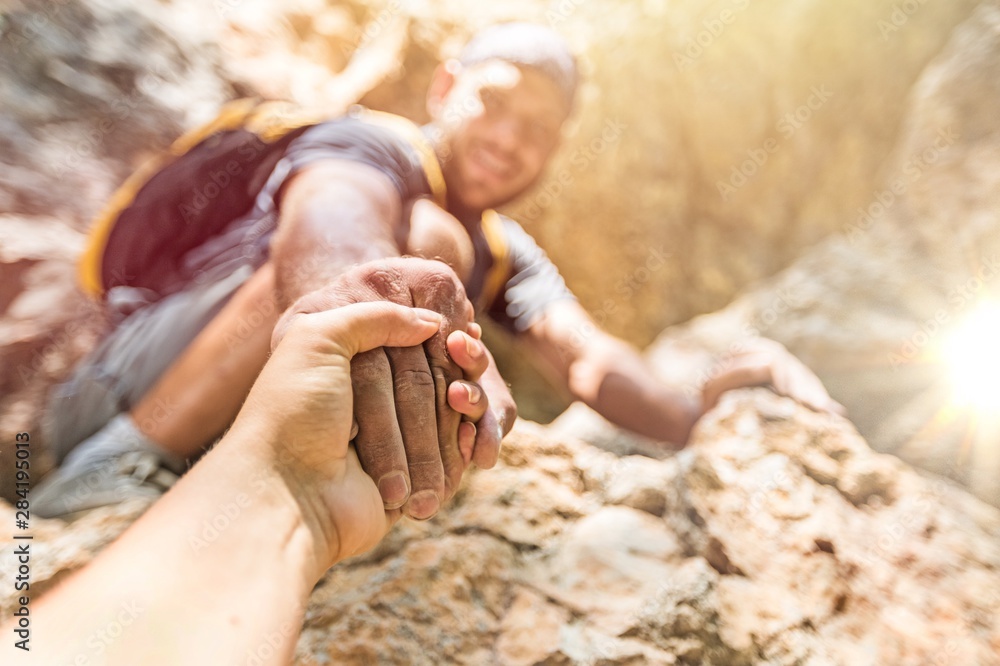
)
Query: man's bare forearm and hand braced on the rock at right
[{"x": 612, "y": 378}]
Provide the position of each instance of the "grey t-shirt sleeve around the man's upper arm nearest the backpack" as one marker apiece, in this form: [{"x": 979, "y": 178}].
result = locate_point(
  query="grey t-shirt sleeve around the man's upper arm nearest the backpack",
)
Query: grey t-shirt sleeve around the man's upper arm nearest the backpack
[{"x": 353, "y": 140}]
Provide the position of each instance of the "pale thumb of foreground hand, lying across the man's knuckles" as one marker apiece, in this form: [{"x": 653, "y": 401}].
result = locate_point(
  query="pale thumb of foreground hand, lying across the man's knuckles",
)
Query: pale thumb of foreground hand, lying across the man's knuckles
[{"x": 363, "y": 326}]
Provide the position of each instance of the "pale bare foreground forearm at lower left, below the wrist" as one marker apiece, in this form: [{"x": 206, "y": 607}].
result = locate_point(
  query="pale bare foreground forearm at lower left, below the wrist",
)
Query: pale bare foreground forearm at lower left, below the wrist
[{"x": 188, "y": 581}]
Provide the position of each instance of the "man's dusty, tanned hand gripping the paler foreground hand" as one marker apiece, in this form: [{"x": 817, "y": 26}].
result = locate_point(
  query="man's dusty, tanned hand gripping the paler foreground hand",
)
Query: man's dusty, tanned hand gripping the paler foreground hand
[{"x": 421, "y": 412}]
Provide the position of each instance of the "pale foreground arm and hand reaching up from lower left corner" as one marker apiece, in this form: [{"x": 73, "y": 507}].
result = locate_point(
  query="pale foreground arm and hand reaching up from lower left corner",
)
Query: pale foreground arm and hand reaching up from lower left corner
[{"x": 285, "y": 498}]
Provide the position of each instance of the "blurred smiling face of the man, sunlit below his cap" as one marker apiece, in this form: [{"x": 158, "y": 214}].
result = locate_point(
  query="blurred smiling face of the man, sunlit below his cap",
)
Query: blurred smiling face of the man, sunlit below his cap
[{"x": 497, "y": 124}]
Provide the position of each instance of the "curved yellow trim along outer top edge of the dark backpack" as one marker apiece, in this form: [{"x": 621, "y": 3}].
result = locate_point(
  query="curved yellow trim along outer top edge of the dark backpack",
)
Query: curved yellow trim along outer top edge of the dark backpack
[{"x": 268, "y": 120}]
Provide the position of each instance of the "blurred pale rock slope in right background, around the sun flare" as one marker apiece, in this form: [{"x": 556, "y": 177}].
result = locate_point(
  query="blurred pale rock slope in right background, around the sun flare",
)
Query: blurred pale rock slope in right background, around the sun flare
[{"x": 873, "y": 310}]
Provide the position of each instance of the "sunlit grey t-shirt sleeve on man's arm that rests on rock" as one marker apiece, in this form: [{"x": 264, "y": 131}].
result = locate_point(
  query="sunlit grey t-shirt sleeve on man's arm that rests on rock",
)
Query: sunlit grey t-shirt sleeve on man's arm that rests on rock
[{"x": 533, "y": 285}]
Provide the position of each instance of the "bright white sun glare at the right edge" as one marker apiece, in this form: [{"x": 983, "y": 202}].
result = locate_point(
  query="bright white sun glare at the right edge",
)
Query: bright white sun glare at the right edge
[{"x": 973, "y": 356}]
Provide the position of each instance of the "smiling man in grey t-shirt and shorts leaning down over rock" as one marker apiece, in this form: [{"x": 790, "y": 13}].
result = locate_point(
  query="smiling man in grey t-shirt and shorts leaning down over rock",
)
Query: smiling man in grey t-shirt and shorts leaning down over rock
[{"x": 369, "y": 207}]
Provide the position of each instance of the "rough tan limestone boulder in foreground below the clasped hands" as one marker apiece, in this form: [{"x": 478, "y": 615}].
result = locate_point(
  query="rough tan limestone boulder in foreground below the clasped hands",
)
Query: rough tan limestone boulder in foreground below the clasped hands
[{"x": 778, "y": 537}]
